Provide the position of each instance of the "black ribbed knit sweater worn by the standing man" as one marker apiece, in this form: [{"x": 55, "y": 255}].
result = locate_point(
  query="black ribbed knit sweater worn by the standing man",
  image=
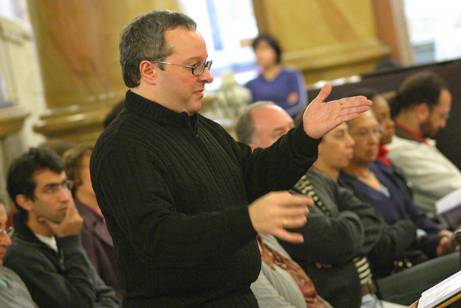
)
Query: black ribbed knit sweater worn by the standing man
[{"x": 175, "y": 191}]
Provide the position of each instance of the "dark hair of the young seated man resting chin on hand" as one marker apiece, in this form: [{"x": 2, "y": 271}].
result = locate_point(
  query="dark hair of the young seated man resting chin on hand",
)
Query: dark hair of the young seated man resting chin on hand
[{"x": 20, "y": 178}]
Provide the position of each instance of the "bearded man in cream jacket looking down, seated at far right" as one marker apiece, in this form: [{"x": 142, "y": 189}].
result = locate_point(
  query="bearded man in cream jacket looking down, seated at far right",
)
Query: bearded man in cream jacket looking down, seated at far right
[{"x": 422, "y": 106}]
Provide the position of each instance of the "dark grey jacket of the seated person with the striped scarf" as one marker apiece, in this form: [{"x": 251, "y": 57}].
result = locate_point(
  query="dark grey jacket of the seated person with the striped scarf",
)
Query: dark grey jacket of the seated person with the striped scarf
[{"x": 331, "y": 243}]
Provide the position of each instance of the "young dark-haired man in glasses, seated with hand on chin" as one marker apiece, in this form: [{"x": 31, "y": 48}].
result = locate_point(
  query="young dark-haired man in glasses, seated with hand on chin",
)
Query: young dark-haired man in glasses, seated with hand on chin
[{"x": 46, "y": 251}]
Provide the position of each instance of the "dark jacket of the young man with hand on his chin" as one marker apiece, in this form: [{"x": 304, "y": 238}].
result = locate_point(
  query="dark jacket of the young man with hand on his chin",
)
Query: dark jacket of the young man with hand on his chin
[{"x": 56, "y": 279}]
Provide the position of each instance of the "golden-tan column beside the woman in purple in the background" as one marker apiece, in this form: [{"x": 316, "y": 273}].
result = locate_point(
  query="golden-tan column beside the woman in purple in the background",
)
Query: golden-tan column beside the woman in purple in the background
[{"x": 326, "y": 39}]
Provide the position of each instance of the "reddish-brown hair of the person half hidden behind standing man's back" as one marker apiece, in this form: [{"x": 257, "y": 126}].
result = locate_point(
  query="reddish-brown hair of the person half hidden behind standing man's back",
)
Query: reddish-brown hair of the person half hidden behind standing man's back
[{"x": 73, "y": 163}]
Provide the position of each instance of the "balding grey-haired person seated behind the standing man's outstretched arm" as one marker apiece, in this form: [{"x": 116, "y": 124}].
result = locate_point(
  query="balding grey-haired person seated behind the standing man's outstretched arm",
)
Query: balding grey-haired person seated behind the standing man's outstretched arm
[{"x": 281, "y": 282}]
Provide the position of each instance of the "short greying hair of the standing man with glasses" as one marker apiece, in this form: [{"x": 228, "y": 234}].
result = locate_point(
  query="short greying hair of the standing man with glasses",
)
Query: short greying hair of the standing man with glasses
[{"x": 144, "y": 39}]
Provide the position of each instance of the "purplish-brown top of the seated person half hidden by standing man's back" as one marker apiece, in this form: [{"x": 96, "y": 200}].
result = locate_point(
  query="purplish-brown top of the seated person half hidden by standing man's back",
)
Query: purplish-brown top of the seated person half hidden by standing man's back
[{"x": 99, "y": 247}]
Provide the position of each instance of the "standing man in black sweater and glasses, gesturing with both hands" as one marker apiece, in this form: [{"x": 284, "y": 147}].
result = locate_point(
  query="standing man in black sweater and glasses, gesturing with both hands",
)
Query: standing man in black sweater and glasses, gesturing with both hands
[{"x": 184, "y": 201}]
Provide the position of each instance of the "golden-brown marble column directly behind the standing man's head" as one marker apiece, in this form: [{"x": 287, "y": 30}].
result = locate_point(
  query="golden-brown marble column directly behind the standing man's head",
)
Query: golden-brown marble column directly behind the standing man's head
[{"x": 77, "y": 44}]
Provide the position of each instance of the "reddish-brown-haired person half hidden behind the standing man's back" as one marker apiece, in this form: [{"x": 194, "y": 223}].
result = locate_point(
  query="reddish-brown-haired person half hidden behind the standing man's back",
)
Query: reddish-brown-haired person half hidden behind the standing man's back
[{"x": 96, "y": 239}]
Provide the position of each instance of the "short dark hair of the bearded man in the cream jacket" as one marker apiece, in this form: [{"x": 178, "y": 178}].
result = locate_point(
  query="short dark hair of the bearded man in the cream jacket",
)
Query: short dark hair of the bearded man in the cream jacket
[{"x": 419, "y": 88}]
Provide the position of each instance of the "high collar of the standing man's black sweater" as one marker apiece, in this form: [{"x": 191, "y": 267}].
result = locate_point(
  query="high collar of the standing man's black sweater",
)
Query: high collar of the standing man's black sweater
[{"x": 158, "y": 113}]
